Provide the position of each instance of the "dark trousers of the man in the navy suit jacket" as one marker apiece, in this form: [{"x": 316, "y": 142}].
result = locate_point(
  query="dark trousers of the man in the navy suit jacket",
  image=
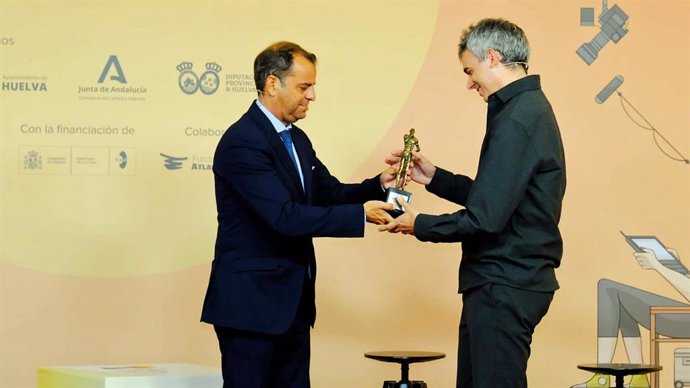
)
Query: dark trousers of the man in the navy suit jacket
[{"x": 258, "y": 360}]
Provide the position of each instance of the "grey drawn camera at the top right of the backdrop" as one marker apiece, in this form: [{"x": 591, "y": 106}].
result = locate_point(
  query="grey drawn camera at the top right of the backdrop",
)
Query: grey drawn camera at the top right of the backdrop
[{"x": 612, "y": 22}]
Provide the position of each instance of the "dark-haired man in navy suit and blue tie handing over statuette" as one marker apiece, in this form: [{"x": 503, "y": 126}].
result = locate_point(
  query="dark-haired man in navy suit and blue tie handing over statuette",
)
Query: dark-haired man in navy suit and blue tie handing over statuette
[{"x": 273, "y": 196}]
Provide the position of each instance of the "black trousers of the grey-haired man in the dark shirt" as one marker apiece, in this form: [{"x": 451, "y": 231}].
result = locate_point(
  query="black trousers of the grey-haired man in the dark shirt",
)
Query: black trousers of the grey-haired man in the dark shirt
[{"x": 496, "y": 330}]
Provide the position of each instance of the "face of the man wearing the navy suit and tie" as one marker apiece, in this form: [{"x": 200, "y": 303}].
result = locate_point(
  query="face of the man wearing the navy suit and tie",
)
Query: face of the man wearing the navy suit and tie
[{"x": 296, "y": 90}]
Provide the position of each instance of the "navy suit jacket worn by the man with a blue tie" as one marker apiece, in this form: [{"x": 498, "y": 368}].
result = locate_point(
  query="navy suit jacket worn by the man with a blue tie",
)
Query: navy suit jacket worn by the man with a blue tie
[{"x": 266, "y": 222}]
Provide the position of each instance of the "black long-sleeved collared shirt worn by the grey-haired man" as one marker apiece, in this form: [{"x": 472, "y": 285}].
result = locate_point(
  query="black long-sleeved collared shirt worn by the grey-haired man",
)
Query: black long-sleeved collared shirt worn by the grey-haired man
[{"x": 509, "y": 226}]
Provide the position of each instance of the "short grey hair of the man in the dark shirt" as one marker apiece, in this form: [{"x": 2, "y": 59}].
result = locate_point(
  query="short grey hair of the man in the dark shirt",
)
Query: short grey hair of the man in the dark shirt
[{"x": 499, "y": 34}]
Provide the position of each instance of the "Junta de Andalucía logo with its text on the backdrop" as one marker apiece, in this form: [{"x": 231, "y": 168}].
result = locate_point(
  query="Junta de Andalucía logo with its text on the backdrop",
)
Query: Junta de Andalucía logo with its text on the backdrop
[{"x": 112, "y": 85}]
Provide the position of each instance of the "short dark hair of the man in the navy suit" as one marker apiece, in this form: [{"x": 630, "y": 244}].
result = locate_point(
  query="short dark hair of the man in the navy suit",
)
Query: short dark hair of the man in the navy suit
[{"x": 277, "y": 60}]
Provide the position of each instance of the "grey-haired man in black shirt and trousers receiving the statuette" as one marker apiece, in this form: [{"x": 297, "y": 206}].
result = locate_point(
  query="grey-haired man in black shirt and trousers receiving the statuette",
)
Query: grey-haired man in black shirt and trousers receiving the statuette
[{"x": 508, "y": 228}]
